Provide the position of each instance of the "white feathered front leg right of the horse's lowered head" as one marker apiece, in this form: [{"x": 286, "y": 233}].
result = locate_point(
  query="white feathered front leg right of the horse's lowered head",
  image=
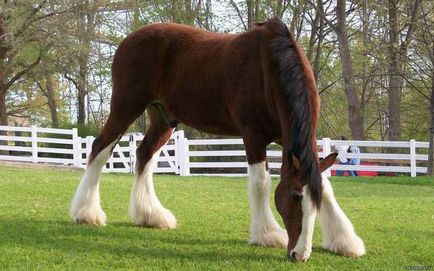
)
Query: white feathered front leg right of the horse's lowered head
[{"x": 338, "y": 232}]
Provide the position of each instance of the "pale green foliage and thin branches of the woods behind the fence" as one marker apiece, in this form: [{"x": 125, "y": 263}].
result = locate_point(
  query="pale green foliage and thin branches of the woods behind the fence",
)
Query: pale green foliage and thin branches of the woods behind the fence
[{"x": 79, "y": 41}]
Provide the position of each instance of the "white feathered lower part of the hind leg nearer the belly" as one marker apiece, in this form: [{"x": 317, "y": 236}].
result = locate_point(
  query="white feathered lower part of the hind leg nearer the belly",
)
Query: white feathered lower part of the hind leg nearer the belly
[{"x": 145, "y": 208}]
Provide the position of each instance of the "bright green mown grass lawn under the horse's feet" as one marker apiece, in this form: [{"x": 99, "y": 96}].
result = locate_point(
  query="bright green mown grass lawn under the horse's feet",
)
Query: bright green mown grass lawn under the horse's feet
[{"x": 394, "y": 216}]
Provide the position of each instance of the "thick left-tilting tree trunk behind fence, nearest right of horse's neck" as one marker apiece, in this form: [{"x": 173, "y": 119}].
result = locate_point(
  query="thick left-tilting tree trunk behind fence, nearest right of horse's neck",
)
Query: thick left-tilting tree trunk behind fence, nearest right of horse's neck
[{"x": 354, "y": 116}]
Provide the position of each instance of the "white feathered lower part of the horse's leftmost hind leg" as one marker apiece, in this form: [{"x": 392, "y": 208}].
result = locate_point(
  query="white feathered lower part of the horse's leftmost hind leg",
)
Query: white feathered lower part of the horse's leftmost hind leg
[{"x": 86, "y": 206}]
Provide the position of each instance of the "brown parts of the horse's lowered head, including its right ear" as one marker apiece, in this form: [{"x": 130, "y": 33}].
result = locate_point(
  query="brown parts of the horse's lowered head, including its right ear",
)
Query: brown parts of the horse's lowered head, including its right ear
[{"x": 289, "y": 195}]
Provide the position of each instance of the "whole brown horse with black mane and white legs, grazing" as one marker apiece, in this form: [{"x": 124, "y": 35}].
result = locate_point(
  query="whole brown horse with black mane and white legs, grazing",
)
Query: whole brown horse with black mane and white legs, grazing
[{"x": 257, "y": 85}]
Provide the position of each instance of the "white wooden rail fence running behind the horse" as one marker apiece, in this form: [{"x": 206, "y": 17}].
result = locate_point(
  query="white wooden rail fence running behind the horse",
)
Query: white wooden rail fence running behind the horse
[{"x": 197, "y": 156}]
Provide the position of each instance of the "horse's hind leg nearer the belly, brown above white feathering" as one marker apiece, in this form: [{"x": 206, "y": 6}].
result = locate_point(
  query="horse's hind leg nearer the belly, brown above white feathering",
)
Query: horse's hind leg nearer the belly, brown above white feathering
[{"x": 145, "y": 207}]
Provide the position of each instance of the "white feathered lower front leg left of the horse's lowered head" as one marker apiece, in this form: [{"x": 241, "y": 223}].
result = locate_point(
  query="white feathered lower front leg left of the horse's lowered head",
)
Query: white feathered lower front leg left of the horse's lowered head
[{"x": 264, "y": 229}]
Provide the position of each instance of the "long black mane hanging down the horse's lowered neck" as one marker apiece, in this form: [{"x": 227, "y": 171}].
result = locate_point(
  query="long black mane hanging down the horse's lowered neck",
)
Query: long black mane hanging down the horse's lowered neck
[{"x": 300, "y": 99}]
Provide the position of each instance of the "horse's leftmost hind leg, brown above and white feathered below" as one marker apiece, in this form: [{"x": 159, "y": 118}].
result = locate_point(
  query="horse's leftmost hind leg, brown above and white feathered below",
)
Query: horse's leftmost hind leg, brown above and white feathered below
[{"x": 86, "y": 207}]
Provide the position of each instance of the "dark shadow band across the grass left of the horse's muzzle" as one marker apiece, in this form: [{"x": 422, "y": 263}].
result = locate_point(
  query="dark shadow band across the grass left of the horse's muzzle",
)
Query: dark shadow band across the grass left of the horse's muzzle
[{"x": 125, "y": 240}]
